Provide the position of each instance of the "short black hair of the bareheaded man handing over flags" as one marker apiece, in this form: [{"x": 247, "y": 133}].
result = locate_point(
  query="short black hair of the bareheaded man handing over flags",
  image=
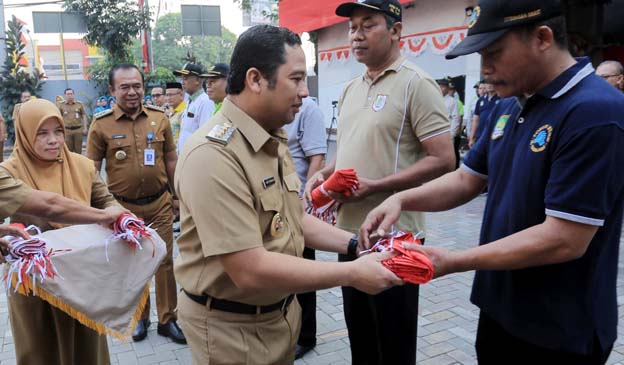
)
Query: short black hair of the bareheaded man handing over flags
[{"x": 262, "y": 47}]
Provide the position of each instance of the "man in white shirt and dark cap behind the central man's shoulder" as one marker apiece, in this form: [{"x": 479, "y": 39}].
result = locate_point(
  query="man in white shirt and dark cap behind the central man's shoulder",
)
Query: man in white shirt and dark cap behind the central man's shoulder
[{"x": 198, "y": 107}]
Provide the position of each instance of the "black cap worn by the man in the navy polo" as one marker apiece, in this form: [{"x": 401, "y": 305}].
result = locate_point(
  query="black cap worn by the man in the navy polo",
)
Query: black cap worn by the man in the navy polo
[{"x": 492, "y": 19}]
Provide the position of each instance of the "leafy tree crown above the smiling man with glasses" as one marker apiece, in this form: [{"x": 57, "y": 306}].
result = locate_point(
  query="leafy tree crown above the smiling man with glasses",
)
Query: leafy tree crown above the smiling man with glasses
[{"x": 112, "y": 25}]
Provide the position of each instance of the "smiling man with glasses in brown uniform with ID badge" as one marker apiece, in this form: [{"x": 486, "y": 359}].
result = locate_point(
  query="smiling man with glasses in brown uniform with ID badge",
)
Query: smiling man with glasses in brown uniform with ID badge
[{"x": 137, "y": 143}]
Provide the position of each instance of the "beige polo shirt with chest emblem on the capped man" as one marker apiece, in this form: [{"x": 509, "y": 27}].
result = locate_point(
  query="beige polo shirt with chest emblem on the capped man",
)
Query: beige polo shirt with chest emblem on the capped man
[{"x": 371, "y": 116}]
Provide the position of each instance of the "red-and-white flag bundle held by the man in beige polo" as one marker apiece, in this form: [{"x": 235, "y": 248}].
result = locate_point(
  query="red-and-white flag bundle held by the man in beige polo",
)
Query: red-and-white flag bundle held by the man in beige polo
[{"x": 323, "y": 205}]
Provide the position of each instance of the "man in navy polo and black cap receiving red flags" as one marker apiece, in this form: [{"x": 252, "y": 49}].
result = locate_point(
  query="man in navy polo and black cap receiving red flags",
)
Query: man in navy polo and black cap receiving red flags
[{"x": 547, "y": 260}]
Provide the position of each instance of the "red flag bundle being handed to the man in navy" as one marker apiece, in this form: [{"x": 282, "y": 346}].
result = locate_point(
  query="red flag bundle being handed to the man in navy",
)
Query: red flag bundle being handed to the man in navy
[{"x": 411, "y": 266}]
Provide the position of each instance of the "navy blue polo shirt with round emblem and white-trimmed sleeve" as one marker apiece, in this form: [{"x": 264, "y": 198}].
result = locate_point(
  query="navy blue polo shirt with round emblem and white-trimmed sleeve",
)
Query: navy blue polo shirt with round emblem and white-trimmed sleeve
[{"x": 558, "y": 153}]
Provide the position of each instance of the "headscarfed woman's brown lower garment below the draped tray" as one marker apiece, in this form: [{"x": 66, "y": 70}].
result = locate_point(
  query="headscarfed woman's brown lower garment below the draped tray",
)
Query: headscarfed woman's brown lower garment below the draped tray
[{"x": 45, "y": 335}]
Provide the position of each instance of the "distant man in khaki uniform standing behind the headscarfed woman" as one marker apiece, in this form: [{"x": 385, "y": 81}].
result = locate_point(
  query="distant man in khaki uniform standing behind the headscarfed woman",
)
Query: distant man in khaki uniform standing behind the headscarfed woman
[{"x": 75, "y": 119}]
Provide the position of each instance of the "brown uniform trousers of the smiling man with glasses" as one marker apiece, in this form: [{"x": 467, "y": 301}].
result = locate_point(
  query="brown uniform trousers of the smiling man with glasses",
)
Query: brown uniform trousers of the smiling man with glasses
[{"x": 159, "y": 214}]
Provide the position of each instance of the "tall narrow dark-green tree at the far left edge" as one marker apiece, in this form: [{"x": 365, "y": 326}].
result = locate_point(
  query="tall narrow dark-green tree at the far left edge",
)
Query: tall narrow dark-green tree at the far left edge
[{"x": 14, "y": 77}]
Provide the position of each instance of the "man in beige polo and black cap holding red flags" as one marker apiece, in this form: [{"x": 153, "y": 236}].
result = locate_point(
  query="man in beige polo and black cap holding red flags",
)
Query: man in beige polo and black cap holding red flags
[{"x": 394, "y": 131}]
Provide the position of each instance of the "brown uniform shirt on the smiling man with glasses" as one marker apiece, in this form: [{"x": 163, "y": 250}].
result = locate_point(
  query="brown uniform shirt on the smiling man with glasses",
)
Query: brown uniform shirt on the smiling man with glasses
[{"x": 122, "y": 141}]
